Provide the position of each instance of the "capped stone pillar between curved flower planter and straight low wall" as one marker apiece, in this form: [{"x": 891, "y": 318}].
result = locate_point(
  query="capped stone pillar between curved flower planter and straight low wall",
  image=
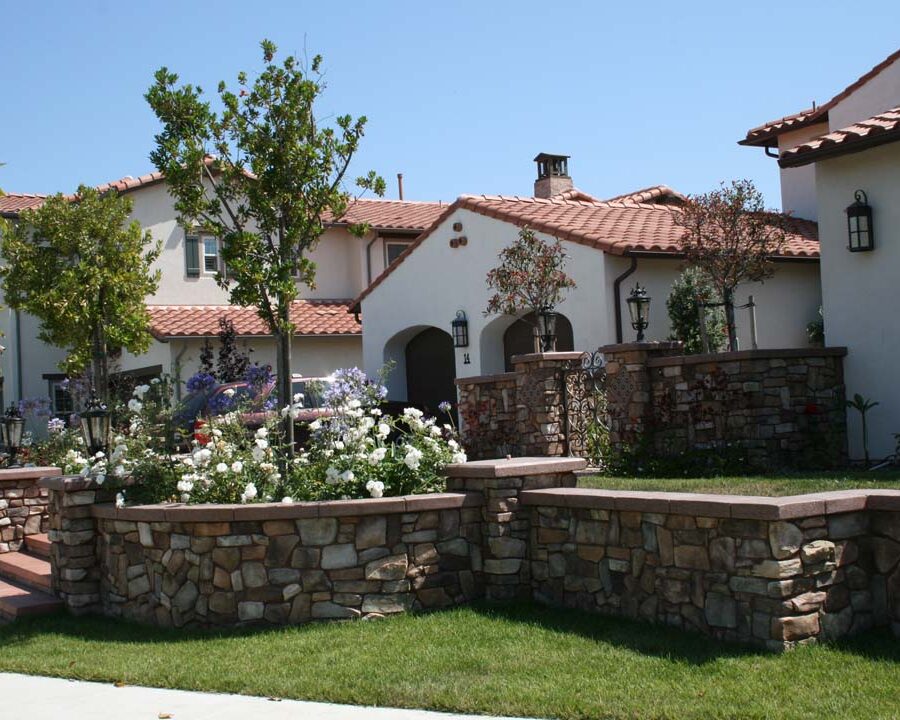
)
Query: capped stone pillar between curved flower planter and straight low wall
[{"x": 504, "y": 567}]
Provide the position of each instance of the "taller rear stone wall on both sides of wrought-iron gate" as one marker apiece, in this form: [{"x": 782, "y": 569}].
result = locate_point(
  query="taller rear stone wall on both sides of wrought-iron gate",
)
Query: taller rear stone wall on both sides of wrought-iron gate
[{"x": 782, "y": 407}]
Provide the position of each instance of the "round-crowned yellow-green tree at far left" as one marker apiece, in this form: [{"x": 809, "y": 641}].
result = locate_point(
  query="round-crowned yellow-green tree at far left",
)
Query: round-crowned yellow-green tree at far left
[{"x": 80, "y": 267}]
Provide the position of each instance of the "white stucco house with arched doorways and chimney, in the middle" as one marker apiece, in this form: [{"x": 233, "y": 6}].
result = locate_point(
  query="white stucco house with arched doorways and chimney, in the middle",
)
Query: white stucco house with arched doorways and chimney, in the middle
[{"x": 611, "y": 245}]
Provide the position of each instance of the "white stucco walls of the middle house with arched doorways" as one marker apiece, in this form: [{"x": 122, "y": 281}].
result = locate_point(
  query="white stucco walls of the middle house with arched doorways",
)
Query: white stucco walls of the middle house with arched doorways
[{"x": 435, "y": 281}]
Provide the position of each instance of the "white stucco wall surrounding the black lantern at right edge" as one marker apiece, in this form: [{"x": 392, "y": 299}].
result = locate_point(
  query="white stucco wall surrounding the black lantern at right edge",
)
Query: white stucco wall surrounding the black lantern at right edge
[{"x": 861, "y": 289}]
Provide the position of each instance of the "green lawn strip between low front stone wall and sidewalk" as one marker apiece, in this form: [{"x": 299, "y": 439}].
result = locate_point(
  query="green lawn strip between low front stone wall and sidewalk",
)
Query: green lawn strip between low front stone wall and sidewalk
[{"x": 515, "y": 660}]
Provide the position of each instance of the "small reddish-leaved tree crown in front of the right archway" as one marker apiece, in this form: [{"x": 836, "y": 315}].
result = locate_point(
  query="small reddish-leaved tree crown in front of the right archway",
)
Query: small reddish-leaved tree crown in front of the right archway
[{"x": 530, "y": 276}]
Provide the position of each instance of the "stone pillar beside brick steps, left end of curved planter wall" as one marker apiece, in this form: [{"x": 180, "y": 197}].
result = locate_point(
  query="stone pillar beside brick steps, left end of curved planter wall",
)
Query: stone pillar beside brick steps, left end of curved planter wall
[{"x": 74, "y": 560}]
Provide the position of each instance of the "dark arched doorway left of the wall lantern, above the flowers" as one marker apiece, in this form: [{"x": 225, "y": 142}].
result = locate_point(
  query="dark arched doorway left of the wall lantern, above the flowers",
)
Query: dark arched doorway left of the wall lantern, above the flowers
[{"x": 430, "y": 370}]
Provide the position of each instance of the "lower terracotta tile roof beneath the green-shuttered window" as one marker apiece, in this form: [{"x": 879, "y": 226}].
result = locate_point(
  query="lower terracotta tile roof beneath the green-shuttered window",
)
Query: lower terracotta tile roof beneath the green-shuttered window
[{"x": 310, "y": 317}]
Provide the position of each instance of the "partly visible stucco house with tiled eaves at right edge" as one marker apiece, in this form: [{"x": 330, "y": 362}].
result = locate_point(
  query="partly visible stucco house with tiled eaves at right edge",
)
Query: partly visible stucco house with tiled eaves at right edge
[{"x": 826, "y": 154}]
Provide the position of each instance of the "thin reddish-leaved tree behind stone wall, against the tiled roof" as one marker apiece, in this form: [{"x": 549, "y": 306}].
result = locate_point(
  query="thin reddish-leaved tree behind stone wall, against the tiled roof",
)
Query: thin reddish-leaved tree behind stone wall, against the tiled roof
[{"x": 731, "y": 237}]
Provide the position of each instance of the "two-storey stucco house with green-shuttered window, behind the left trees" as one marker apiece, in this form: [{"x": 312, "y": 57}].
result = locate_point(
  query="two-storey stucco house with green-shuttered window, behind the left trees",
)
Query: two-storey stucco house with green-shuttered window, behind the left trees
[{"x": 186, "y": 308}]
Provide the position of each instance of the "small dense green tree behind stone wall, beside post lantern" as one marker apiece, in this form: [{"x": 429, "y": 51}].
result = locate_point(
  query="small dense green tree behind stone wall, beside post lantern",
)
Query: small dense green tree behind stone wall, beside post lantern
[{"x": 691, "y": 289}]
